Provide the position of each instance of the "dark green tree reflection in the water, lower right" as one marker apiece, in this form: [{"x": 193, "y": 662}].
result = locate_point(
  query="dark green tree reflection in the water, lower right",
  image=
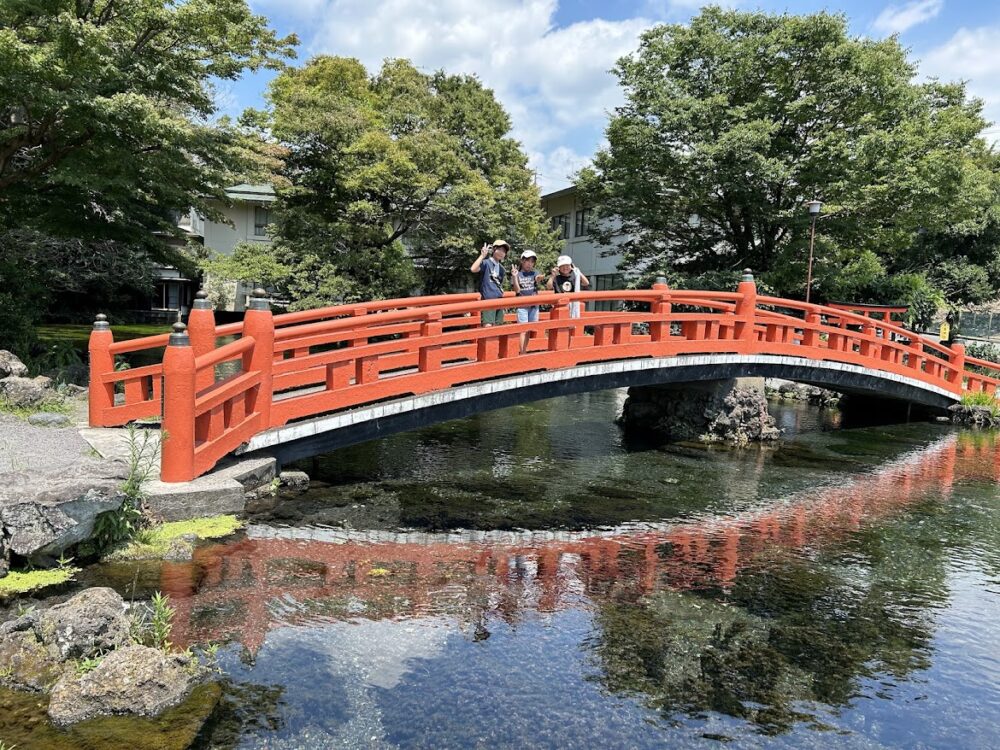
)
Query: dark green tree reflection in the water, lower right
[{"x": 790, "y": 630}]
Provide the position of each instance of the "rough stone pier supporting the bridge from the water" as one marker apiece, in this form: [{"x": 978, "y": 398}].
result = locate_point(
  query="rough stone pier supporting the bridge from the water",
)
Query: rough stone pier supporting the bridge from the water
[{"x": 732, "y": 411}]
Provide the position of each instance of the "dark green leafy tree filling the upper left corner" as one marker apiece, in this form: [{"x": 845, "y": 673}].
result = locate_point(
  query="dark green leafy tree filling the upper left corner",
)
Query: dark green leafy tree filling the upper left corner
[{"x": 106, "y": 132}]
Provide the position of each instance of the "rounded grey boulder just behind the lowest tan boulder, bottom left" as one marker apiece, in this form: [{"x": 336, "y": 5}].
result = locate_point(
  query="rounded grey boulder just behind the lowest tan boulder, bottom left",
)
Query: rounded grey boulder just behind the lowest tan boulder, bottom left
[{"x": 91, "y": 623}]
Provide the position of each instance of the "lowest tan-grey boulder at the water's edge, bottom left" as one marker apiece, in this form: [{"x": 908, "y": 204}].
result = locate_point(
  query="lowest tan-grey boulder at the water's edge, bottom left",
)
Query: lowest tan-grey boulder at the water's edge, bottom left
[{"x": 135, "y": 680}]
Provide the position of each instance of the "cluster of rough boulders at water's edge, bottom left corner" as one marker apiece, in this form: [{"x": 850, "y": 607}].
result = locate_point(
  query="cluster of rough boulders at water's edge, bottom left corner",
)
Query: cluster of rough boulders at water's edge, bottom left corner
[{"x": 84, "y": 654}]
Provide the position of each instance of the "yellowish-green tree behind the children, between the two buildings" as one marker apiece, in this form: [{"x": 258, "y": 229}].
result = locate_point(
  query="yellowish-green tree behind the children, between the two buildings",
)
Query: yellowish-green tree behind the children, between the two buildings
[{"x": 396, "y": 180}]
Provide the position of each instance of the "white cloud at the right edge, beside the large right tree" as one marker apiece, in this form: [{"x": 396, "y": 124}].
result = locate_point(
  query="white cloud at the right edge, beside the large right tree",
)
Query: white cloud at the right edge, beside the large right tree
[{"x": 970, "y": 55}]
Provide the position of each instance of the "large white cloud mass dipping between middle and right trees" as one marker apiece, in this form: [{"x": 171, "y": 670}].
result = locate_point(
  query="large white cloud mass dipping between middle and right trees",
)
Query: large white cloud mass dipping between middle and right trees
[{"x": 554, "y": 81}]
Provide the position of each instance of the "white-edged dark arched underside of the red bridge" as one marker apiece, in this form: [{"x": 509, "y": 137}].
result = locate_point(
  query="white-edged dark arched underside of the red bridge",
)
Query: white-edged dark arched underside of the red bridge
[{"x": 326, "y": 433}]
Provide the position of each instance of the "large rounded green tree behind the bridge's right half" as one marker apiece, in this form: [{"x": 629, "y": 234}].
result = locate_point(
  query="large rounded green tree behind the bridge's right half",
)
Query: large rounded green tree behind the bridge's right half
[{"x": 733, "y": 123}]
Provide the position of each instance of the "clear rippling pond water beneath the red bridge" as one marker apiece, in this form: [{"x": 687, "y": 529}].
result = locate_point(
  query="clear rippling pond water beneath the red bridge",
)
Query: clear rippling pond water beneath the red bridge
[{"x": 528, "y": 578}]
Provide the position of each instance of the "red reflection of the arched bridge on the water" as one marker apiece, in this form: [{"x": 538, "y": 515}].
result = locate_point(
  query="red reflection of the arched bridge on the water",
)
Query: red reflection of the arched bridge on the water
[{"x": 297, "y": 576}]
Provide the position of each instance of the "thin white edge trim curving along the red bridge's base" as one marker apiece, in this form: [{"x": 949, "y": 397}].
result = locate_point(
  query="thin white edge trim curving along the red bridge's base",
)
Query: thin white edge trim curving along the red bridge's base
[{"x": 339, "y": 420}]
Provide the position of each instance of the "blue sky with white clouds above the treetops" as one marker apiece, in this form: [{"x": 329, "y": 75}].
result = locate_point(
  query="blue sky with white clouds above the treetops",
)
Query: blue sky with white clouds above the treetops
[{"x": 548, "y": 60}]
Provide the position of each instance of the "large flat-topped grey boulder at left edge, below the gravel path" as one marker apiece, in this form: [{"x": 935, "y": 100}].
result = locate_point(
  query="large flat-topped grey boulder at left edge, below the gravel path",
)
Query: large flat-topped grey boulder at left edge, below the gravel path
[{"x": 43, "y": 515}]
